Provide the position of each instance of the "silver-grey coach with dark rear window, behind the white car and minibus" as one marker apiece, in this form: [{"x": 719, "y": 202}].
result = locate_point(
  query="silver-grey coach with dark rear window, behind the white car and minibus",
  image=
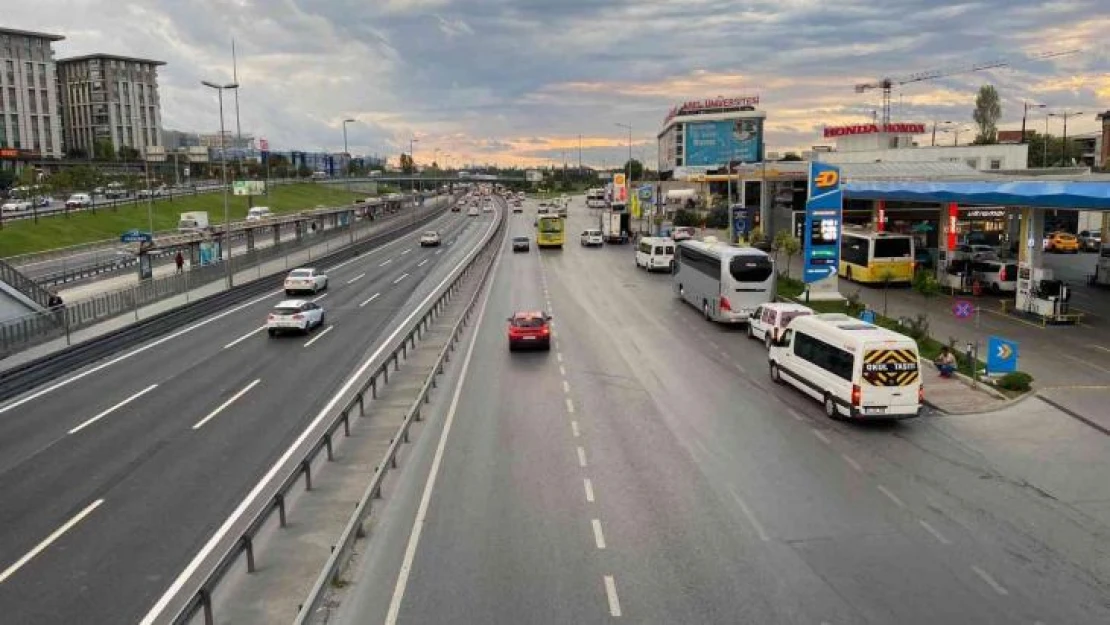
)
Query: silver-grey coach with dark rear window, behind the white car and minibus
[{"x": 723, "y": 281}]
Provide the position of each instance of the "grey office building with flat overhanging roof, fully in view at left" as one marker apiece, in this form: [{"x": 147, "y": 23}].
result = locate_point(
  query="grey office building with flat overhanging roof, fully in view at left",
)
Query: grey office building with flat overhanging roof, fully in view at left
[{"x": 110, "y": 102}]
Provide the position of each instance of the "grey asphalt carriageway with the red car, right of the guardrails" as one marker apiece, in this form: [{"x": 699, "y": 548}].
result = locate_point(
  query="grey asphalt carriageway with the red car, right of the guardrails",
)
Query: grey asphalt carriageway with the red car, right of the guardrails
[{"x": 648, "y": 470}]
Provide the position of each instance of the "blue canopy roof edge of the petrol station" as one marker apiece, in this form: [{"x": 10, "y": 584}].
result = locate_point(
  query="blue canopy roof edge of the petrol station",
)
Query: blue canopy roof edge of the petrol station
[{"x": 1045, "y": 195}]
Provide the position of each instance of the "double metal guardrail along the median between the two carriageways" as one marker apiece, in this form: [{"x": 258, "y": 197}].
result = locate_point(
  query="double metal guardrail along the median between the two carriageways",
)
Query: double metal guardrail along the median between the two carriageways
[{"x": 300, "y": 466}]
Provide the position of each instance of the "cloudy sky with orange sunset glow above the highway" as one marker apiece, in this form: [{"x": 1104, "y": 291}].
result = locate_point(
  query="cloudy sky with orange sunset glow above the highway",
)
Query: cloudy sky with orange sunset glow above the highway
[{"x": 518, "y": 83}]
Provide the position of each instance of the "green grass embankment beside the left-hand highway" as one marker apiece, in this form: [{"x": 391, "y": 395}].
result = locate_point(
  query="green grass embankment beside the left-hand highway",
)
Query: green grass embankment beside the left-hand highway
[{"x": 24, "y": 237}]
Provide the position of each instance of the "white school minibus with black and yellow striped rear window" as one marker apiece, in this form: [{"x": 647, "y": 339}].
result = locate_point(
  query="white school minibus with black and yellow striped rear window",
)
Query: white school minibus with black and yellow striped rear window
[{"x": 855, "y": 369}]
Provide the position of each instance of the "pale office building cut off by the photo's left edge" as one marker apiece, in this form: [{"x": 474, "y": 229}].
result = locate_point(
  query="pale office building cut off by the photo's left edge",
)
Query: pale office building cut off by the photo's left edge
[{"x": 29, "y": 124}]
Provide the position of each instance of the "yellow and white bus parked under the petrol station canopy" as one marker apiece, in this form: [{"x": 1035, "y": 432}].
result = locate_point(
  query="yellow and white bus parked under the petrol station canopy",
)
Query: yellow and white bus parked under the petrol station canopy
[{"x": 872, "y": 257}]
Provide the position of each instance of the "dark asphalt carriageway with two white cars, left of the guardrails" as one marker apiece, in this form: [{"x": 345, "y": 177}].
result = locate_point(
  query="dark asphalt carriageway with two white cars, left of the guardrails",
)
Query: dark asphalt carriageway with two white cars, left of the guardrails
[{"x": 170, "y": 439}]
